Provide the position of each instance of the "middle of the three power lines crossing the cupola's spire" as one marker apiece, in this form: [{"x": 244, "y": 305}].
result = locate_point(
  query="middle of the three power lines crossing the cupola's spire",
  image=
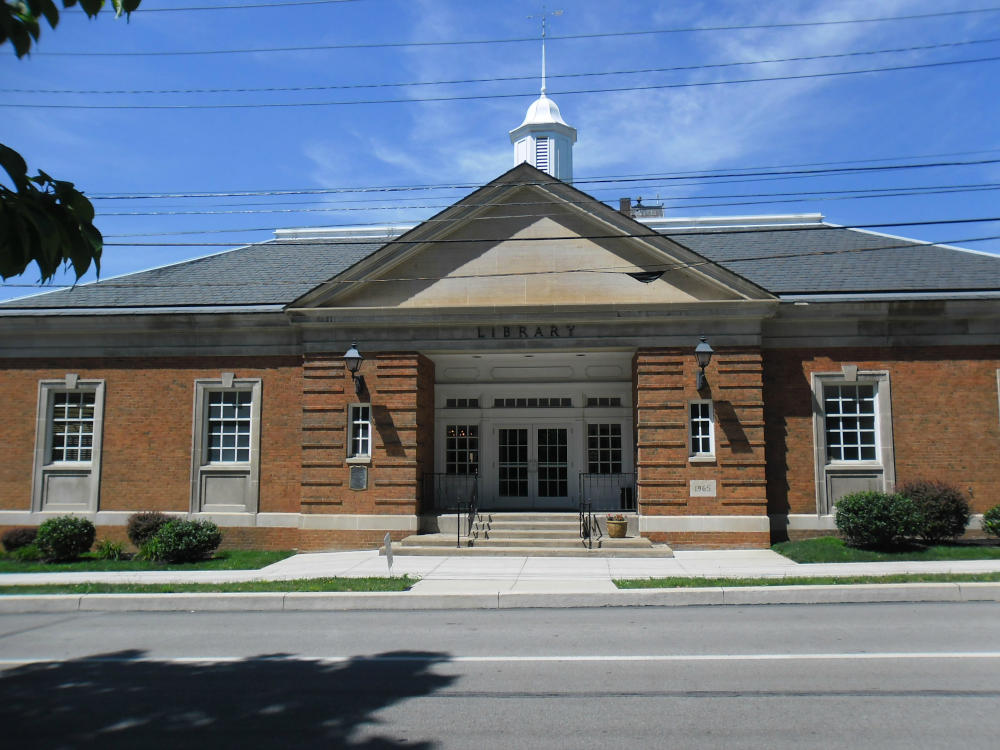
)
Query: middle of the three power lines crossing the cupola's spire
[{"x": 501, "y": 79}]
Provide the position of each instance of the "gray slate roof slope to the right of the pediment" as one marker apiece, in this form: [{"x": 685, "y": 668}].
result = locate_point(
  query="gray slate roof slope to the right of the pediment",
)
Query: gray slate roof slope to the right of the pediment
[{"x": 831, "y": 260}]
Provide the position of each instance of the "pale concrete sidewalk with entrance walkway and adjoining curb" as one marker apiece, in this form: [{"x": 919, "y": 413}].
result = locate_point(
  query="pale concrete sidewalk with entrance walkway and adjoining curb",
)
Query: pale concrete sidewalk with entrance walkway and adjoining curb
[{"x": 497, "y": 582}]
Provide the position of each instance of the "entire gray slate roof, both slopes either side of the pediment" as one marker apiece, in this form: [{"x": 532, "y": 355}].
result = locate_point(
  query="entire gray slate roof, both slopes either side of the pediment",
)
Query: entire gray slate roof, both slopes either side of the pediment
[{"x": 811, "y": 260}]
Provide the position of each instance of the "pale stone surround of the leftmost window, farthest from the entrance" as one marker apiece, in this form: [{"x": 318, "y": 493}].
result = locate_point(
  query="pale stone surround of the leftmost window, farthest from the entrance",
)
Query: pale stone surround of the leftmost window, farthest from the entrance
[{"x": 46, "y": 471}]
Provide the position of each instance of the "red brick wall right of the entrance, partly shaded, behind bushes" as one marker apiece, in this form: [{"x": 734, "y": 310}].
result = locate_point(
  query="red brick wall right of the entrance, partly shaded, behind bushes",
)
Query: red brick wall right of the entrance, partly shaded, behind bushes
[{"x": 944, "y": 418}]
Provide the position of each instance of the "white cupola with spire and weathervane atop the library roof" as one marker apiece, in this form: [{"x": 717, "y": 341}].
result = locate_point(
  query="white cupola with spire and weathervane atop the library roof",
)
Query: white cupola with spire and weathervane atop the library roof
[{"x": 544, "y": 140}]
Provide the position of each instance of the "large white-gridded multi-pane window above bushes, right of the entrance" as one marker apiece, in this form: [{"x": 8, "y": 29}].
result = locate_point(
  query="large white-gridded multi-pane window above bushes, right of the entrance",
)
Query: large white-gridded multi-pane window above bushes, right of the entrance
[{"x": 850, "y": 422}]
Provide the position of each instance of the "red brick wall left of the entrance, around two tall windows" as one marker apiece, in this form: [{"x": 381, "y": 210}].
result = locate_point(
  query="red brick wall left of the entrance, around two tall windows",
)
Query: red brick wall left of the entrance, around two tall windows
[{"x": 147, "y": 436}]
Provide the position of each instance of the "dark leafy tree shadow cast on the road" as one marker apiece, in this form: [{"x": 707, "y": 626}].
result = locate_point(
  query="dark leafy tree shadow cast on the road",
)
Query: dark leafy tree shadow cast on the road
[{"x": 118, "y": 700}]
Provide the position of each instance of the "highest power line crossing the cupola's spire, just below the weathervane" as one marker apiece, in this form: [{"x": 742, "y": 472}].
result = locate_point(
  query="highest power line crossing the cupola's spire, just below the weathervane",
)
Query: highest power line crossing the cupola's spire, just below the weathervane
[{"x": 533, "y": 39}]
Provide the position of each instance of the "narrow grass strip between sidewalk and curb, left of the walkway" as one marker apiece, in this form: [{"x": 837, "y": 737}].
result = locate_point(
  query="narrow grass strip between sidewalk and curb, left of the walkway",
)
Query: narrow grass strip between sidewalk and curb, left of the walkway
[{"x": 396, "y": 583}]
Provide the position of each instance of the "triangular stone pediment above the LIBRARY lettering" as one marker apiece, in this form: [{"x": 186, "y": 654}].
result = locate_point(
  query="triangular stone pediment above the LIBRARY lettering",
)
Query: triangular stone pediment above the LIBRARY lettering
[{"x": 527, "y": 239}]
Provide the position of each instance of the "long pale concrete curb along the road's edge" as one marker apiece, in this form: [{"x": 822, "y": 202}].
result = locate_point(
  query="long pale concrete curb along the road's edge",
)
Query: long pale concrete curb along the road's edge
[{"x": 322, "y": 601}]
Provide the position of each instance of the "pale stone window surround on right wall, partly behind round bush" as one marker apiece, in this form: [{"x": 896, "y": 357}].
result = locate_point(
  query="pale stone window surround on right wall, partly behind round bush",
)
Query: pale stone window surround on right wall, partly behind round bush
[{"x": 880, "y": 471}]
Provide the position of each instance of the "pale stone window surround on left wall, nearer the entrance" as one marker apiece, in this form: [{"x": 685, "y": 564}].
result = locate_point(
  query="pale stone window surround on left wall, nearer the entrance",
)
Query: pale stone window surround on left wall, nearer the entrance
[{"x": 203, "y": 470}]
